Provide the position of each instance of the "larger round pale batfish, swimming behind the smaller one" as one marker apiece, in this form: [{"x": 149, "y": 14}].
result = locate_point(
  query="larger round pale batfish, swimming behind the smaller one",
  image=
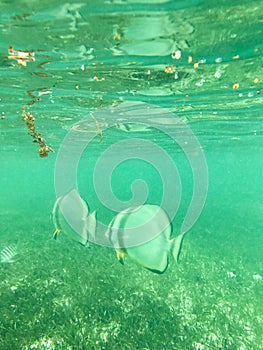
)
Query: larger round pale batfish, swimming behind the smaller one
[{"x": 154, "y": 250}]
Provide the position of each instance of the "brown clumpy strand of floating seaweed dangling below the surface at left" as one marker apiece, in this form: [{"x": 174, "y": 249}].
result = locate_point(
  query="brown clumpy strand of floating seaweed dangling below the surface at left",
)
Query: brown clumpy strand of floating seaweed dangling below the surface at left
[{"x": 29, "y": 119}]
